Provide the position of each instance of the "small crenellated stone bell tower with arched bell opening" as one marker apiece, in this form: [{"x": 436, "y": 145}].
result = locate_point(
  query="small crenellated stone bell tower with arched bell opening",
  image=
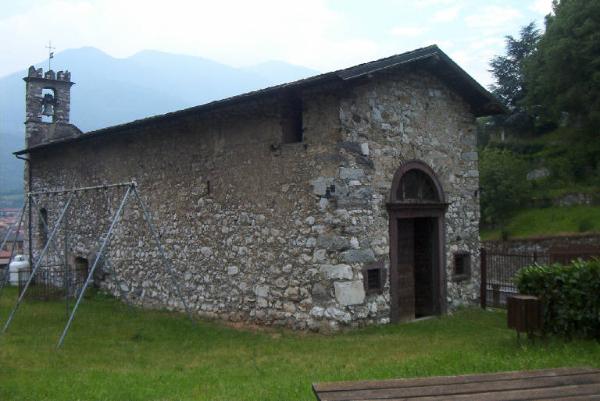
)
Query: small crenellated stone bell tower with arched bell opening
[{"x": 47, "y": 106}]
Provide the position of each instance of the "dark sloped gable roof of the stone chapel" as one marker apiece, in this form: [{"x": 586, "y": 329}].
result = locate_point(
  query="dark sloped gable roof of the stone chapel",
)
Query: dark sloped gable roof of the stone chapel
[{"x": 431, "y": 58}]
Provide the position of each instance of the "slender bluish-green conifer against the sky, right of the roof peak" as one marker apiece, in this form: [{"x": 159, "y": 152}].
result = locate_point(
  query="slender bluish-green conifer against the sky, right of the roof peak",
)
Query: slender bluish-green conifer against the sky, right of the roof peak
[{"x": 508, "y": 70}]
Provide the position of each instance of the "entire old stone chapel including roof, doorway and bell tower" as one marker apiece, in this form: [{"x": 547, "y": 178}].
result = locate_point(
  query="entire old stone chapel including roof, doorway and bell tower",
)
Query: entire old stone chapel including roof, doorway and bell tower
[{"x": 345, "y": 199}]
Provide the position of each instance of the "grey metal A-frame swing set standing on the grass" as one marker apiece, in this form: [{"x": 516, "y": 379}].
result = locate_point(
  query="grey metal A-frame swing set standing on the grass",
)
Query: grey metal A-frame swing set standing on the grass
[{"x": 131, "y": 192}]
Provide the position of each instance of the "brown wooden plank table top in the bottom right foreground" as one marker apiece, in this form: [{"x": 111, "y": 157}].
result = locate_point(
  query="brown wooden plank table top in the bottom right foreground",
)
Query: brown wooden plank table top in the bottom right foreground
[{"x": 573, "y": 384}]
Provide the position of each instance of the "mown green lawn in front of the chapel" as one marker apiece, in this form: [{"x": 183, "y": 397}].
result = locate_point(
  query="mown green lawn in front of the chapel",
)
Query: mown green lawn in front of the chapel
[{"x": 113, "y": 353}]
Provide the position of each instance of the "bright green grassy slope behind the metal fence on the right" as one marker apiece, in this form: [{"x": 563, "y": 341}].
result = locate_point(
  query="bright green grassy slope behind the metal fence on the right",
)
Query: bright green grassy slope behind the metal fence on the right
[{"x": 549, "y": 221}]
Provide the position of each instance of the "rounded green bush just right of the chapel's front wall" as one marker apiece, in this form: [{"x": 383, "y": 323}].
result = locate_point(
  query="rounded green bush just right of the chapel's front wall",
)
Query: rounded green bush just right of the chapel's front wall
[{"x": 504, "y": 186}]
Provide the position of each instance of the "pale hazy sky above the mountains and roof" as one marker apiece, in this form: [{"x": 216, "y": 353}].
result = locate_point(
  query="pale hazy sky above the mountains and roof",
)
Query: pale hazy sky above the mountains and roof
[{"x": 321, "y": 34}]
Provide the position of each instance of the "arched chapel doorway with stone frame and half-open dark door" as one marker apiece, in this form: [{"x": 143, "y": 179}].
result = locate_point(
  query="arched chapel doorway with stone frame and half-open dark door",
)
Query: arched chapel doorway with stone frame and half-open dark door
[{"x": 417, "y": 249}]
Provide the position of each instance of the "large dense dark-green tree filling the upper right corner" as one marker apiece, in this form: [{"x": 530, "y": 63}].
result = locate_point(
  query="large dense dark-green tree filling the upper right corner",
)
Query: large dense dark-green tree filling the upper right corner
[{"x": 563, "y": 75}]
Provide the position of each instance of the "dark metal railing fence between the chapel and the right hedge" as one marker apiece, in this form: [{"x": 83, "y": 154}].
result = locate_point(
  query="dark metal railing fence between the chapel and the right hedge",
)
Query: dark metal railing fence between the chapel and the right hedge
[{"x": 498, "y": 269}]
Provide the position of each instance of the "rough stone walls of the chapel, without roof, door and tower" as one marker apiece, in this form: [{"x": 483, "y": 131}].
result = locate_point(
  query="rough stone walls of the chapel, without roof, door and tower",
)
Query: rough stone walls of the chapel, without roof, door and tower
[{"x": 266, "y": 232}]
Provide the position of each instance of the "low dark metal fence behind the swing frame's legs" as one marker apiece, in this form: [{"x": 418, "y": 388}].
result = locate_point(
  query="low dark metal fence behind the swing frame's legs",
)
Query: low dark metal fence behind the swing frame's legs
[{"x": 53, "y": 282}]
